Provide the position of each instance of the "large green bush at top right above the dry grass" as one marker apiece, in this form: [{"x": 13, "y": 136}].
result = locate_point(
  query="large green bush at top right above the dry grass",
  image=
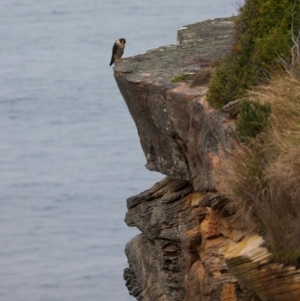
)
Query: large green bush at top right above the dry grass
[{"x": 262, "y": 39}]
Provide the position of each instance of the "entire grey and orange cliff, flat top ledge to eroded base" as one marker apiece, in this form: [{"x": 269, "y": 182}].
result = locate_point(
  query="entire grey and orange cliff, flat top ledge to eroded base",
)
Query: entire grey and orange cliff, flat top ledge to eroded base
[{"x": 184, "y": 223}]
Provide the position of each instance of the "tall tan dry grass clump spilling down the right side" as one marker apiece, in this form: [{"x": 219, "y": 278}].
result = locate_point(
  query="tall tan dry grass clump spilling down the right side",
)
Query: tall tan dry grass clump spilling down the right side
[{"x": 264, "y": 179}]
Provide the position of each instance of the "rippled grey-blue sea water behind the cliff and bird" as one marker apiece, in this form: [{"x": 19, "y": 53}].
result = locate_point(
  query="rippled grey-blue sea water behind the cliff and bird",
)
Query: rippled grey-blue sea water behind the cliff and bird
[{"x": 69, "y": 150}]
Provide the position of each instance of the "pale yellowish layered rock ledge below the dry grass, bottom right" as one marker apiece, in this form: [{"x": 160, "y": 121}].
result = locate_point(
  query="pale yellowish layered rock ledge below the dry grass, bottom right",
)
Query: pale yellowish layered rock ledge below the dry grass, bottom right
[{"x": 251, "y": 263}]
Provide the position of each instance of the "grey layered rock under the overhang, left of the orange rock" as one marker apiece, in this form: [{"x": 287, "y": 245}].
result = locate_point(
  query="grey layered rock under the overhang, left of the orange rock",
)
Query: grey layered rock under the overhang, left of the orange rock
[{"x": 156, "y": 263}]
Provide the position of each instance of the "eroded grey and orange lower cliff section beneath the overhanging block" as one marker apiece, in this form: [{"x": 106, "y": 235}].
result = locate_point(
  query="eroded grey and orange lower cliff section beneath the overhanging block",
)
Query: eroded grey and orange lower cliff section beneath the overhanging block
[{"x": 180, "y": 253}]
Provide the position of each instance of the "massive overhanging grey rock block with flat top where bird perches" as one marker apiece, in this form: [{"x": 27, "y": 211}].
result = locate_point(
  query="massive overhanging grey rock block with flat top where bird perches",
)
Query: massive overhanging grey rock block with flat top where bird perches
[{"x": 181, "y": 136}]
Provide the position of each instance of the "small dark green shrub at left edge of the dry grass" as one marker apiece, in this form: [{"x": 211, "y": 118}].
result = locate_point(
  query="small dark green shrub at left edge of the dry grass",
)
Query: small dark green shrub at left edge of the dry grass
[{"x": 252, "y": 119}]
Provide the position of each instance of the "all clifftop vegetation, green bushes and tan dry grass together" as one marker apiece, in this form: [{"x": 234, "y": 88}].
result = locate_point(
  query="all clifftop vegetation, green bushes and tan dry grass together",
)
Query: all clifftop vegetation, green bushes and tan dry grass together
[{"x": 264, "y": 172}]
